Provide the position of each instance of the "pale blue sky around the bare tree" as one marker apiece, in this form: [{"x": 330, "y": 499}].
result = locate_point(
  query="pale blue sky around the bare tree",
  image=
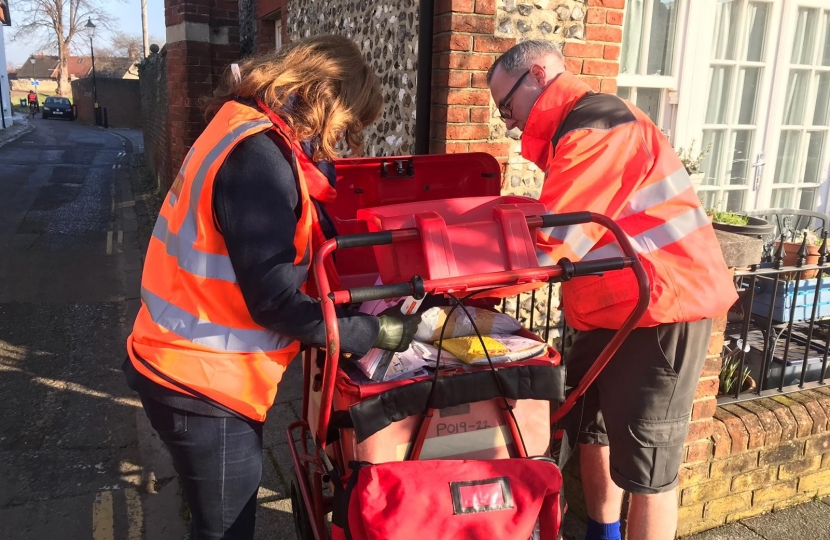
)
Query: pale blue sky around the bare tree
[{"x": 128, "y": 19}]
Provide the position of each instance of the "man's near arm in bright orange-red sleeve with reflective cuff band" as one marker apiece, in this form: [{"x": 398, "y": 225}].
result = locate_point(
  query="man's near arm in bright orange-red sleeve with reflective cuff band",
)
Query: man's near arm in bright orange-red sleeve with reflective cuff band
[{"x": 593, "y": 170}]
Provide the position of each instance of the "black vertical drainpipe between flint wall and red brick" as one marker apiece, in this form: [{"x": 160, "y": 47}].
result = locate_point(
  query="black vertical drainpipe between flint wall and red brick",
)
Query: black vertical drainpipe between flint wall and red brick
[{"x": 423, "y": 98}]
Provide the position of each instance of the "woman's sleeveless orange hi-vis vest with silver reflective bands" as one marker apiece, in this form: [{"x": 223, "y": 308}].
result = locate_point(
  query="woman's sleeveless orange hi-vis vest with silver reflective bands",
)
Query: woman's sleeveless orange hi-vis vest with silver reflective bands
[{"x": 193, "y": 333}]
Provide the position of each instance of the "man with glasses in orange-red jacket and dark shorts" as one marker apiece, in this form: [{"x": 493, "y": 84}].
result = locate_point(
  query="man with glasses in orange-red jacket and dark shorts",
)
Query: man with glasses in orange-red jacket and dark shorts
[{"x": 603, "y": 155}]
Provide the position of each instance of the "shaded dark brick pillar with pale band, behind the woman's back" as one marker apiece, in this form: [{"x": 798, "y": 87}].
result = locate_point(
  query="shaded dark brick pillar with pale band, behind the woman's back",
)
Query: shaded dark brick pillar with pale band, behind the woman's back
[{"x": 202, "y": 39}]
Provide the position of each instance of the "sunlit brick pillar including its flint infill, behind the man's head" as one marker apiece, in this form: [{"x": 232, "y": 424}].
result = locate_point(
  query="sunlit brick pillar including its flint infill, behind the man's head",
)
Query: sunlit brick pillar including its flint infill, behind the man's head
[{"x": 470, "y": 34}]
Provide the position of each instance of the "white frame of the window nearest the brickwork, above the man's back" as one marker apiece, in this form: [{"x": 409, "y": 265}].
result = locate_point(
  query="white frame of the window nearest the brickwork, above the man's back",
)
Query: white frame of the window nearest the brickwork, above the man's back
[{"x": 668, "y": 83}]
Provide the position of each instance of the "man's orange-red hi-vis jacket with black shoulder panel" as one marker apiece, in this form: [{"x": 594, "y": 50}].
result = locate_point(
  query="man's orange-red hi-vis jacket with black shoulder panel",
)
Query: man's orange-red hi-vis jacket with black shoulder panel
[{"x": 601, "y": 154}]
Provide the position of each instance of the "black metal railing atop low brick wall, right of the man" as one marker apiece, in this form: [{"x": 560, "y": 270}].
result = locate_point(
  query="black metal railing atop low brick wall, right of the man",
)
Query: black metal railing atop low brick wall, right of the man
[{"x": 778, "y": 333}]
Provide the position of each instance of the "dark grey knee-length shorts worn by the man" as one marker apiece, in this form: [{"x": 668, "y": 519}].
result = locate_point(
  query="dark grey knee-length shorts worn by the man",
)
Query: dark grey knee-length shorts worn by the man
[{"x": 640, "y": 404}]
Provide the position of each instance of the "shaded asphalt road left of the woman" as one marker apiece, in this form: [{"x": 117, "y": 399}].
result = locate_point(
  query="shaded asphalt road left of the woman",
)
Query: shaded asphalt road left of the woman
[{"x": 69, "y": 449}]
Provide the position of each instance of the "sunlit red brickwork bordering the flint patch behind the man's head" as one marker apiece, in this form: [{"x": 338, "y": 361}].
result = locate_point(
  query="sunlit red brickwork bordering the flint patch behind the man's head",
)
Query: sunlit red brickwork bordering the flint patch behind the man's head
[{"x": 465, "y": 45}]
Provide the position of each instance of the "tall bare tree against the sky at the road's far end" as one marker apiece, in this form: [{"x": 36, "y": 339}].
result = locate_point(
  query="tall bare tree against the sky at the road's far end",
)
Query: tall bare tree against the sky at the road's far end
[{"x": 55, "y": 24}]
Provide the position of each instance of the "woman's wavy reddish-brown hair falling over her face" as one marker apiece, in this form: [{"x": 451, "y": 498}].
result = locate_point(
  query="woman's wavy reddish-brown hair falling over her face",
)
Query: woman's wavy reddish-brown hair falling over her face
[{"x": 321, "y": 86}]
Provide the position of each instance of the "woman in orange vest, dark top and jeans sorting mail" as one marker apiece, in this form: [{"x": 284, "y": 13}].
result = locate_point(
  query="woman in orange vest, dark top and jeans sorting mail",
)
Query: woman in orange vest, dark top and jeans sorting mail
[{"x": 224, "y": 291}]
